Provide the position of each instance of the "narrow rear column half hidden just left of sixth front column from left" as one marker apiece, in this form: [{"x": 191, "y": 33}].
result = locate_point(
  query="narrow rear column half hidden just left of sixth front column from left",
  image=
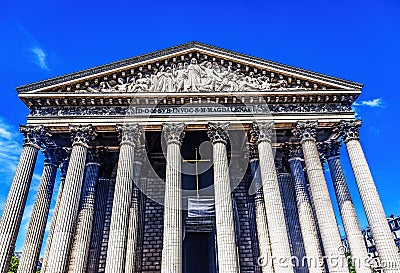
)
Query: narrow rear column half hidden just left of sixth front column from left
[{"x": 264, "y": 244}]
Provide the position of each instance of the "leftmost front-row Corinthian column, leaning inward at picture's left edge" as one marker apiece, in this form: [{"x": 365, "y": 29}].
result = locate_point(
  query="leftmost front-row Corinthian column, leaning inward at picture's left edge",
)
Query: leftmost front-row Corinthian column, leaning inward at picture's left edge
[{"x": 16, "y": 200}]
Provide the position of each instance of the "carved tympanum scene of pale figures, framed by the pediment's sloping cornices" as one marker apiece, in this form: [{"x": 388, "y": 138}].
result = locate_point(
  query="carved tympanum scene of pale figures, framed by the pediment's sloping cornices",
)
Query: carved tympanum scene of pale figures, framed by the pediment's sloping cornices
[{"x": 194, "y": 75}]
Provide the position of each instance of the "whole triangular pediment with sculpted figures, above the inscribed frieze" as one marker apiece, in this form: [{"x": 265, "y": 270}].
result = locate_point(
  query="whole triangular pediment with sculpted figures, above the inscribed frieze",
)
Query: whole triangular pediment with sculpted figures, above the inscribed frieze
[{"x": 188, "y": 68}]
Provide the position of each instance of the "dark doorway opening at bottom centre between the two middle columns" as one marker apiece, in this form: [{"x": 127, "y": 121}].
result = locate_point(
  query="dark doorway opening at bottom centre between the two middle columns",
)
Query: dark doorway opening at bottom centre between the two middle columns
[{"x": 199, "y": 253}]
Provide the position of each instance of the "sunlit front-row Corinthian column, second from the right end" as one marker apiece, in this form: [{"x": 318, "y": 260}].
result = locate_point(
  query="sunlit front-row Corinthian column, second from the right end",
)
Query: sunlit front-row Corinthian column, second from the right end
[{"x": 306, "y": 132}]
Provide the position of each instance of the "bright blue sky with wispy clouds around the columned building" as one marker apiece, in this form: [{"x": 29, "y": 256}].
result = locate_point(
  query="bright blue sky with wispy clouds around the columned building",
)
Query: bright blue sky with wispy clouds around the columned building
[{"x": 355, "y": 40}]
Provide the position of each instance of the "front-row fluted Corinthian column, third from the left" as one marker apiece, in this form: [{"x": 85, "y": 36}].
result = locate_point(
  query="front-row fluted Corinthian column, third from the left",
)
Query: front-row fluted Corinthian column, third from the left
[{"x": 115, "y": 261}]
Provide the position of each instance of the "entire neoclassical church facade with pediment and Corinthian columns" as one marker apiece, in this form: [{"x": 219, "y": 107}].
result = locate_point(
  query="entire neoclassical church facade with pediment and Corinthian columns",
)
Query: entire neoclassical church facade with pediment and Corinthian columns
[{"x": 193, "y": 159}]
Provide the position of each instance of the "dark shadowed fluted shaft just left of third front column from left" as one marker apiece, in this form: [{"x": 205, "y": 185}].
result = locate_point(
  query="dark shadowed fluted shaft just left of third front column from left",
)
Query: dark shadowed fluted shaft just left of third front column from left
[{"x": 98, "y": 225}]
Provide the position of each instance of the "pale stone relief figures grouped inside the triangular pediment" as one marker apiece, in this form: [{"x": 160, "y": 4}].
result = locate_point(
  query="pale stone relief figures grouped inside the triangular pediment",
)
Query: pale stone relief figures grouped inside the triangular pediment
[{"x": 194, "y": 77}]
